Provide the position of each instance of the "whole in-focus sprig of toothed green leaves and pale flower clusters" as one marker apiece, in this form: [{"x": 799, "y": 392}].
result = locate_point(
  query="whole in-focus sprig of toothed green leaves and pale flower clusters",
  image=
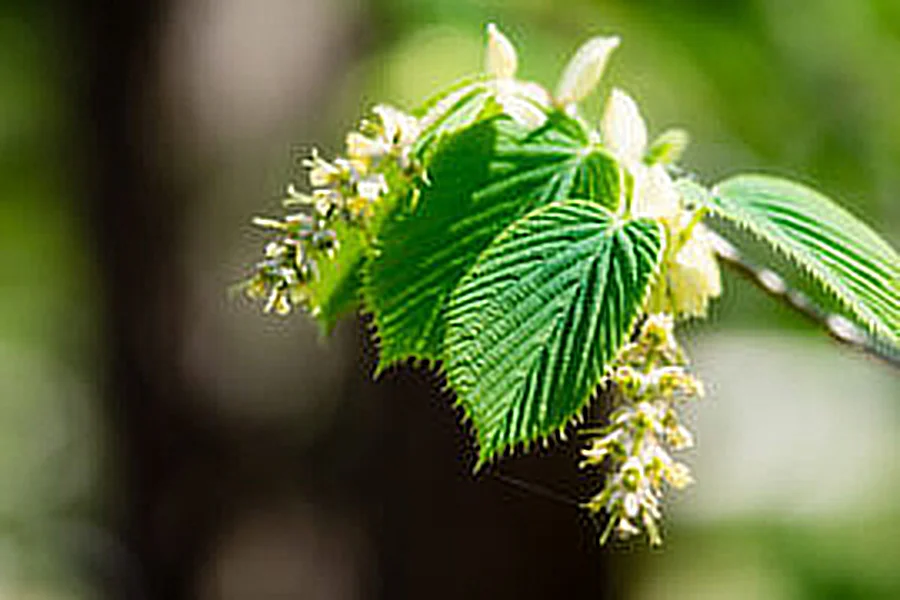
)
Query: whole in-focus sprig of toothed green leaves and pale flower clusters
[{"x": 496, "y": 233}]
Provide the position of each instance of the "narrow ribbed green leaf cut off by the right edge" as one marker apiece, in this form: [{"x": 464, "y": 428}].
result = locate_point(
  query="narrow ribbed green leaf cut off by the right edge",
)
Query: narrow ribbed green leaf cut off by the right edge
[{"x": 840, "y": 253}]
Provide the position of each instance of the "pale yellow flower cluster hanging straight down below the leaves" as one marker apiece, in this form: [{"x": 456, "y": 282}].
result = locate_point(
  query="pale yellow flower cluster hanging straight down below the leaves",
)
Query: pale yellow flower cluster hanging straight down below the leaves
[{"x": 648, "y": 381}]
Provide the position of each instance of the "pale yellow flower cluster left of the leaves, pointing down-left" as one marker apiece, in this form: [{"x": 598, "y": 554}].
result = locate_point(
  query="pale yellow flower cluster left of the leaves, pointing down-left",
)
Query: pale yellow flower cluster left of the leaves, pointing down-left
[{"x": 347, "y": 190}]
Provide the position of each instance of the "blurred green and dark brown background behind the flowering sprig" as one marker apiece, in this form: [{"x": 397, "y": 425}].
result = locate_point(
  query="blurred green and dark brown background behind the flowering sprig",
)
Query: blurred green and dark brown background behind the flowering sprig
[{"x": 159, "y": 439}]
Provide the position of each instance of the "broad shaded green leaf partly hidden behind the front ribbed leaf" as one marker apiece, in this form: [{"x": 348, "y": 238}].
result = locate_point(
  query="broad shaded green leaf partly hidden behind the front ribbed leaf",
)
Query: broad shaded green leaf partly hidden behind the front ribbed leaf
[{"x": 480, "y": 181}]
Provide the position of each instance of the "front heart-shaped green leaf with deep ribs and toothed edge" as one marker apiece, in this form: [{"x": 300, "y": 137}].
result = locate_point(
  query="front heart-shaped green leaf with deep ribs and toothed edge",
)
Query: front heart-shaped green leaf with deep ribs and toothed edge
[{"x": 533, "y": 326}]
